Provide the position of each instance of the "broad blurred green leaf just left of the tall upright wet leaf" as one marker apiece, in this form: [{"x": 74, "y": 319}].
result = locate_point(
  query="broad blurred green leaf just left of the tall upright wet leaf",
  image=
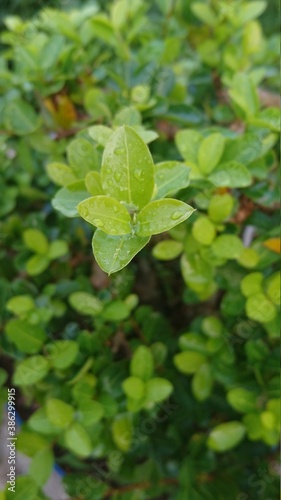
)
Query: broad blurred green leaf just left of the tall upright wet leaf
[{"x": 82, "y": 157}]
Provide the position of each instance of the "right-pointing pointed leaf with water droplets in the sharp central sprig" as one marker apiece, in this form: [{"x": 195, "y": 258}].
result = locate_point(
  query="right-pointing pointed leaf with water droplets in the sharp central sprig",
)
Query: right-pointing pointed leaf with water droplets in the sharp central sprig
[{"x": 161, "y": 215}]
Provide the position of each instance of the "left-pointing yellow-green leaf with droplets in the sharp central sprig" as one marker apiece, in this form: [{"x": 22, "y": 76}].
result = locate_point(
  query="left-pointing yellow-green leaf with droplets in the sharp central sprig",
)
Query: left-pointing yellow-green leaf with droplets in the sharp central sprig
[{"x": 106, "y": 213}]
